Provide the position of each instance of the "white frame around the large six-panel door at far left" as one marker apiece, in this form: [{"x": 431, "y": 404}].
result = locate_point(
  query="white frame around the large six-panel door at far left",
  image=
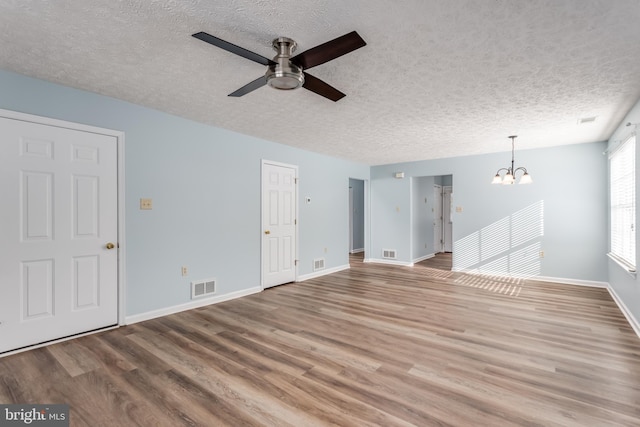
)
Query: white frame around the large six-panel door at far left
[{"x": 121, "y": 207}]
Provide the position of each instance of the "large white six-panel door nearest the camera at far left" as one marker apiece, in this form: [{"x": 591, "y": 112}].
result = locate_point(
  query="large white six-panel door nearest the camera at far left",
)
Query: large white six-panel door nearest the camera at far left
[{"x": 58, "y": 219}]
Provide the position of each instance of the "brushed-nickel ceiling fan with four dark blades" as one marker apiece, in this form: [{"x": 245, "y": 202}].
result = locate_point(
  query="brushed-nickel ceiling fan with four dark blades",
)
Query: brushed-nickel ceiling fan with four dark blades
[{"x": 287, "y": 72}]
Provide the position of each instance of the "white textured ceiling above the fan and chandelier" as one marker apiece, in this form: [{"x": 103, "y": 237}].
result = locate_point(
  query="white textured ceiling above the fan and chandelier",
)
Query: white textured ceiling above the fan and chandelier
[{"x": 436, "y": 79}]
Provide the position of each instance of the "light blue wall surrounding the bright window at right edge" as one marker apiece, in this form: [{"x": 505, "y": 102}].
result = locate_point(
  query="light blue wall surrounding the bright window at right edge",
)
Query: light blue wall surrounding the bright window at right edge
[{"x": 626, "y": 286}]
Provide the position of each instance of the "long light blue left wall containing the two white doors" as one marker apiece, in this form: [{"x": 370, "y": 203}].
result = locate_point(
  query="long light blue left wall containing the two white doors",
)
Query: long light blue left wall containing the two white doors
[{"x": 205, "y": 186}]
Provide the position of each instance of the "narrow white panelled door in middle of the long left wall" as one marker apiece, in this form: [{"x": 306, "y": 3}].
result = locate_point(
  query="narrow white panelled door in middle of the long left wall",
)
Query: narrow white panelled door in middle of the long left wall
[{"x": 279, "y": 207}]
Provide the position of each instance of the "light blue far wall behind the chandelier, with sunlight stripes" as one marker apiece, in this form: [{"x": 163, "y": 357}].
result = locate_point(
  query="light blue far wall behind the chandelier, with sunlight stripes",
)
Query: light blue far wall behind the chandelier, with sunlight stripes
[{"x": 502, "y": 229}]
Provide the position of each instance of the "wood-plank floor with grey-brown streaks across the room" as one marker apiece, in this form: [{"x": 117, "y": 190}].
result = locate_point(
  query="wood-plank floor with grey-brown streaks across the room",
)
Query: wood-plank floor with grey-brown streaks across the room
[{"x": 375, "y": 345}]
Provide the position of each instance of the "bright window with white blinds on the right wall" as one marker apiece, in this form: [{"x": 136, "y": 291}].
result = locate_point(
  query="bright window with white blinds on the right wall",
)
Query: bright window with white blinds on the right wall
[{"x": 622, "y": 172}]
